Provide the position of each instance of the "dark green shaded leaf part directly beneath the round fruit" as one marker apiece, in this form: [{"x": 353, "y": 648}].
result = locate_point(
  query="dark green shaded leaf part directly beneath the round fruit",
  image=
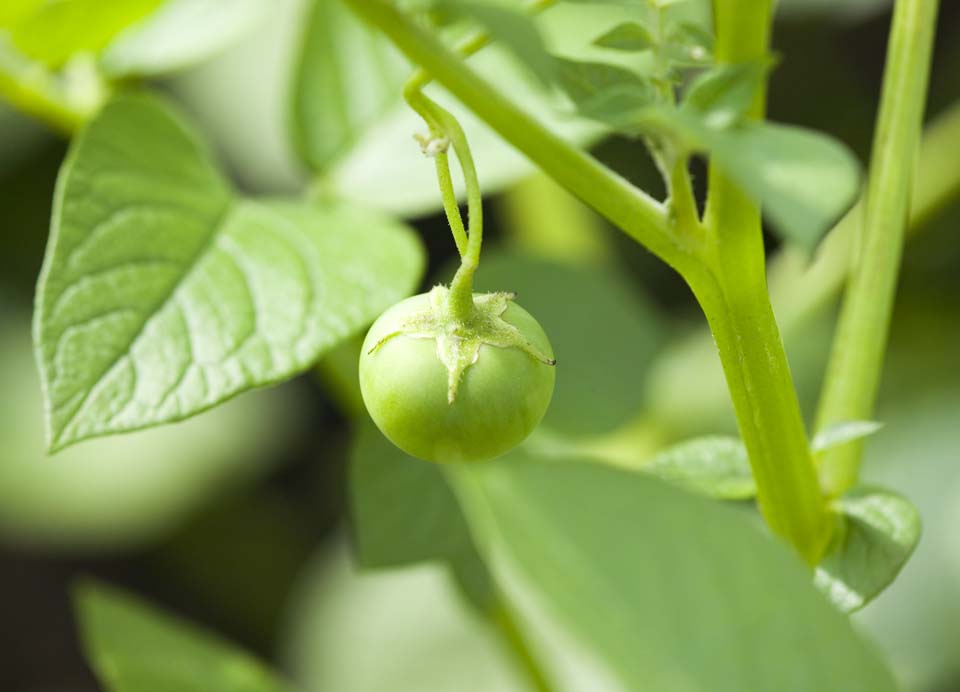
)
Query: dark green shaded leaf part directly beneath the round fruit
[{"x": 404, "y": 512}]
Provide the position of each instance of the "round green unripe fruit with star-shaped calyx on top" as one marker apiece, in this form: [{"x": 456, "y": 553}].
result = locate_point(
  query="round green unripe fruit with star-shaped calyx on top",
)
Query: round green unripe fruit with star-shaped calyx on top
[{"x": 448, "y": 391}]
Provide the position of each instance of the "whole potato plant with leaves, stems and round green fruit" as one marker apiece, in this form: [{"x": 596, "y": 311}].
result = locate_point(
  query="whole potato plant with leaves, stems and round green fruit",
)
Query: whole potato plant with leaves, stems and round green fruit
[{"x": 560, "y": 472}]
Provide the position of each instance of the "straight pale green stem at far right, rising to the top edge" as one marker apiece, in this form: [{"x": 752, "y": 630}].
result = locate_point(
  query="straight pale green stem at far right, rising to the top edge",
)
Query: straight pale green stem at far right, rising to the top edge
[{"x": 856, "y": 361}]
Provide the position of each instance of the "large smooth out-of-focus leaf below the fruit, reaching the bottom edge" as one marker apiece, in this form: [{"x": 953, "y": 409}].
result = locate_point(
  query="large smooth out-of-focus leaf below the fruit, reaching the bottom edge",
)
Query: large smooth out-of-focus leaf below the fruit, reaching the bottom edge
[{"x": 665, "y": 590}]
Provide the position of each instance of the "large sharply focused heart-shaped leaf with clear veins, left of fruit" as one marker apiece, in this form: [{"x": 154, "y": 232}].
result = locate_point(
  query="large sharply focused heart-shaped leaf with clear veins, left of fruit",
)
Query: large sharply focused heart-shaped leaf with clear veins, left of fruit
[{"x": 162, "y": 294}]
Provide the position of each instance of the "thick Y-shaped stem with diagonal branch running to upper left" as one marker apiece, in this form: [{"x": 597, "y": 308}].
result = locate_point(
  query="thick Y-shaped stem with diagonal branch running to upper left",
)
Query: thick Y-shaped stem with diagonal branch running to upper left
[{"x": 723, "y": 263}]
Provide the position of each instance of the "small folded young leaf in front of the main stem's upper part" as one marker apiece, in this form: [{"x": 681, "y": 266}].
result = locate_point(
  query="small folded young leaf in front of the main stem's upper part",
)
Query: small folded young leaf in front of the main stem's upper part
[{"x": 721, "y": 96}]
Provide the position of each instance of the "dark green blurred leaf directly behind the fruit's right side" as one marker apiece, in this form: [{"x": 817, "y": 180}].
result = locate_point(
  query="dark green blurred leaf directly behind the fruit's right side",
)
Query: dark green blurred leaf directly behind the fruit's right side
[{"x": 603, "y": 331}]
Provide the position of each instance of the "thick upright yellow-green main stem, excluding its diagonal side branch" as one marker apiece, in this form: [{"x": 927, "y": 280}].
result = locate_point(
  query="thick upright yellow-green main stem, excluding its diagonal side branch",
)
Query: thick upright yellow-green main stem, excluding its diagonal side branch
[{"x": 738, "y": 309}]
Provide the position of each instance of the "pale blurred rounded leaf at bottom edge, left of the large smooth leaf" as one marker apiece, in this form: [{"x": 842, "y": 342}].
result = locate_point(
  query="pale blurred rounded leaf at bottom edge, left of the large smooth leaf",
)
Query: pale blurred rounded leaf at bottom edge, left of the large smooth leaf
[{"x": 398, "y": 630}]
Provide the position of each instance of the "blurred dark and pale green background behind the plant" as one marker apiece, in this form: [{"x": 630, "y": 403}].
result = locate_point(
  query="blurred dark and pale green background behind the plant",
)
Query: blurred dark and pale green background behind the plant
[{"x": 237, "y": 518}]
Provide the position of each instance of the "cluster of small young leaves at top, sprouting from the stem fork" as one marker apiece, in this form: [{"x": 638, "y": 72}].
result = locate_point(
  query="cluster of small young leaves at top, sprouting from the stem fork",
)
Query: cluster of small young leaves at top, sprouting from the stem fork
[{"x": 661, "y": 83}]
